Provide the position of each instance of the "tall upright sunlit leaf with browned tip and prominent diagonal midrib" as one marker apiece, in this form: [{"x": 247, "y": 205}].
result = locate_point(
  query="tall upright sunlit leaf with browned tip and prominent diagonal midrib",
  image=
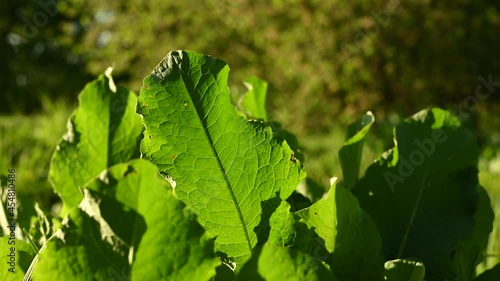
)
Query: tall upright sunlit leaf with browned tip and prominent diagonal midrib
[{"x": 231, "y": 172}]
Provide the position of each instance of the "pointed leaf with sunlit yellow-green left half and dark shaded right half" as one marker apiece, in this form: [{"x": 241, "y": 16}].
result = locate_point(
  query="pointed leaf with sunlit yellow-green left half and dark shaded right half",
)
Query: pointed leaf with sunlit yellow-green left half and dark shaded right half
[{"x": 350, "y": 236}]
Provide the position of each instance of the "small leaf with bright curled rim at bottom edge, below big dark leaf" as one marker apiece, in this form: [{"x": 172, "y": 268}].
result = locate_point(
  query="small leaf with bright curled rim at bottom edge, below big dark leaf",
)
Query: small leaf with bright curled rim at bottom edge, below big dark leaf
[{"x": 404, "y": 270}]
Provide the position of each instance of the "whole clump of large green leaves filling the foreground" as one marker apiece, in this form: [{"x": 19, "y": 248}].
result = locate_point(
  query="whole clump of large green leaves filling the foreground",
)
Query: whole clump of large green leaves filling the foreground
[{"x": 214, "y": 197}]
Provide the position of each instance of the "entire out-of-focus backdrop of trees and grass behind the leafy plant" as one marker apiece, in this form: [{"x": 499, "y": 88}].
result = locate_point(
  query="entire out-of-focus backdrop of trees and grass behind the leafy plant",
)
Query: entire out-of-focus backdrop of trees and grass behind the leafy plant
[{"x": 327, "y": 63}]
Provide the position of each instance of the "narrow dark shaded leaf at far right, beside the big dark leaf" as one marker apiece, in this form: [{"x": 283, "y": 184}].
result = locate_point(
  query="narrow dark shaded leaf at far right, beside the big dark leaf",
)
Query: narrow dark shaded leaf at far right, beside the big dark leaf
[{"x": 469, "y": 252}]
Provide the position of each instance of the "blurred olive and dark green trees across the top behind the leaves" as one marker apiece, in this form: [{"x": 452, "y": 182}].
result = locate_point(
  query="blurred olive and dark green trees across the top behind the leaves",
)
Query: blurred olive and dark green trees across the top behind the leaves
[{"x": 321, "y": 58}]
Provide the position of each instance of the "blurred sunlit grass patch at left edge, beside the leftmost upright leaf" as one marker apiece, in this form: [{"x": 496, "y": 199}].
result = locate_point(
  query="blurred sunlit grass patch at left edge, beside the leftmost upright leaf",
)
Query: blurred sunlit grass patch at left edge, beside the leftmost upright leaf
[{"x": 26, "y": 144}]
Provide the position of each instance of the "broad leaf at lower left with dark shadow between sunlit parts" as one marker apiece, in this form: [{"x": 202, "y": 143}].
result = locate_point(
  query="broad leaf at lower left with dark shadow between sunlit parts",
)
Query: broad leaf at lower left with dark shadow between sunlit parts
[{"x": 131, "y": 227}]
